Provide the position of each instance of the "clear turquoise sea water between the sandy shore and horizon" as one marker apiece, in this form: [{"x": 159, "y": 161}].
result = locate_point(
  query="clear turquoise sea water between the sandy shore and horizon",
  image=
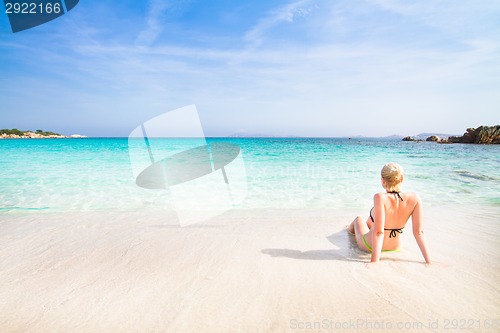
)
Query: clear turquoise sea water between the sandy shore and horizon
[{"x": 95, "y": 174}]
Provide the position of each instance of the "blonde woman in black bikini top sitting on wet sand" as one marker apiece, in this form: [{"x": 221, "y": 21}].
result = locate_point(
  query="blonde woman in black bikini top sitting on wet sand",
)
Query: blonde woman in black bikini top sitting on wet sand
[{"x": 391, "y": 210}]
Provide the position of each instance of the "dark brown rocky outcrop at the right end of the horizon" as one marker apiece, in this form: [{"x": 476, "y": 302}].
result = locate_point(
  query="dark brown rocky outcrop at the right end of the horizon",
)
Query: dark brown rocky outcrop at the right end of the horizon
[{"x": 480, "y": 135}]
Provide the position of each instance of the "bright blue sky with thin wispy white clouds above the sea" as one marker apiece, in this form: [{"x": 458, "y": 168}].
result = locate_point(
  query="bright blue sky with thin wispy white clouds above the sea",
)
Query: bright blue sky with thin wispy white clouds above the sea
[{"x": 306, "y": 68}]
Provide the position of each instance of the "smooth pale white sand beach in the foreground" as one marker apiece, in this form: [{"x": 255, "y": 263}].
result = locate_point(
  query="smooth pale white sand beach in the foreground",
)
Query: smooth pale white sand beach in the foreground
[{"x": 244, "y": 271}]
